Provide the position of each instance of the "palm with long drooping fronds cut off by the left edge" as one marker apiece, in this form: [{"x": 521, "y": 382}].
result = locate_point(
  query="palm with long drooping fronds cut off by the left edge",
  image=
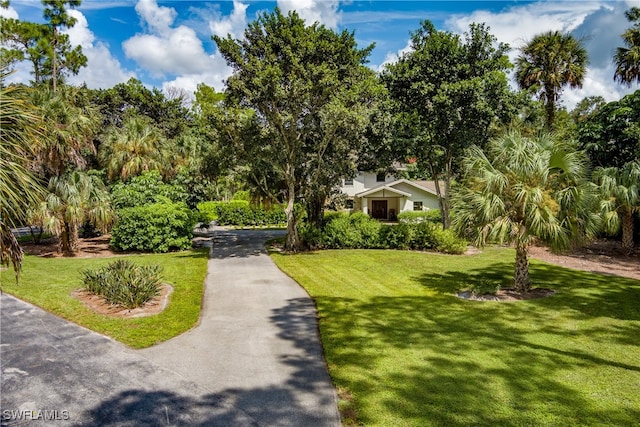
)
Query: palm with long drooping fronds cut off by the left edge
[{"x": 20, "y": 133}]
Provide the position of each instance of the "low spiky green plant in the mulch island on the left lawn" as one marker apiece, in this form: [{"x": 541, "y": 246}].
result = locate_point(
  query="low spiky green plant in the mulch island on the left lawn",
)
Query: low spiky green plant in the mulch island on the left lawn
[{"x": 124, "y": 283}]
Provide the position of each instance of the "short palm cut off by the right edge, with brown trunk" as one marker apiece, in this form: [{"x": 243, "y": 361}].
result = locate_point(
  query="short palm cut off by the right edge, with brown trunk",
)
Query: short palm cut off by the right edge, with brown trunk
[{"x": 620, "y": 192}]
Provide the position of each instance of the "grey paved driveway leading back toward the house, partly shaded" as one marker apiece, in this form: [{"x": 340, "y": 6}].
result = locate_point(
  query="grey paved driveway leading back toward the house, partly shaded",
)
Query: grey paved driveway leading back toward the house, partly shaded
[{"x": 254, "y": 359}]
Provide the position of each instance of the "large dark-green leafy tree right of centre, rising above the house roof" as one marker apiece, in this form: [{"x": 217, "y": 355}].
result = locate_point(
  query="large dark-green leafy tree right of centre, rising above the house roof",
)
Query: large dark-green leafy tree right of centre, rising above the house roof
[{"x": 448, "y": 91}]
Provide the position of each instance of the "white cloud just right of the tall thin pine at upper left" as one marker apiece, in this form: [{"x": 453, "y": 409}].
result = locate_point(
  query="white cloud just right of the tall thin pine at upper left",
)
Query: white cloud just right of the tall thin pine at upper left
[{"x": 103, "y": 70}]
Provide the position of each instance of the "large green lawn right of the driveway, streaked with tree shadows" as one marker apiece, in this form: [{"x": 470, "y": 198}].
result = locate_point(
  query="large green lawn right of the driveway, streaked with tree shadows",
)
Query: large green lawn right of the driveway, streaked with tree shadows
[{"x": 411, "y": 353}]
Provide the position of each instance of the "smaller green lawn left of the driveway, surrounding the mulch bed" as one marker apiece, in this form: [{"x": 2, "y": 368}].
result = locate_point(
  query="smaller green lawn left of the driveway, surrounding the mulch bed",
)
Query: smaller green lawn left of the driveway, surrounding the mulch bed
[{"x": 48, "y": 282}]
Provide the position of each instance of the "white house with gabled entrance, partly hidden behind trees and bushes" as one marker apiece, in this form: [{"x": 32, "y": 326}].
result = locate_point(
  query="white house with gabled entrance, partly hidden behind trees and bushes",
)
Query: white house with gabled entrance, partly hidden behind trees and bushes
[{"x": 383, "y": 196}]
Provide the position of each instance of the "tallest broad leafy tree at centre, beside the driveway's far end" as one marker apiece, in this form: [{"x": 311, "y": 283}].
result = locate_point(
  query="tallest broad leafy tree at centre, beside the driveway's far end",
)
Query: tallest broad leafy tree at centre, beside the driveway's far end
[{"x": 310, "y": 91}]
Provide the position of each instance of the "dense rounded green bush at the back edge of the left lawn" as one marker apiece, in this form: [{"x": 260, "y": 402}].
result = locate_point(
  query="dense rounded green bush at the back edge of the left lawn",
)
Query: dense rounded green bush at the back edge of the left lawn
[{"x": 158, "y": 227}]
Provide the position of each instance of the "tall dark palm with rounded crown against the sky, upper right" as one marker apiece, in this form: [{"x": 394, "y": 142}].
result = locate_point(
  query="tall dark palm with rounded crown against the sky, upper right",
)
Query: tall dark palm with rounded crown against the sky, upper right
[{"x": 549, "y": 62}]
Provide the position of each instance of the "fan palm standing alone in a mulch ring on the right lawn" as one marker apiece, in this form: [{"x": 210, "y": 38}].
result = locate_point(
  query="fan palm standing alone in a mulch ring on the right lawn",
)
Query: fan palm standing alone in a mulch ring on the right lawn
[{"x": 524, "y": 190}]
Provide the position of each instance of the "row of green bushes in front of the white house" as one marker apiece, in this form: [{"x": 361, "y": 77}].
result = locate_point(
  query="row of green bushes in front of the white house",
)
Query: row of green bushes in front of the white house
[{"x": 358, "y": 231}]
